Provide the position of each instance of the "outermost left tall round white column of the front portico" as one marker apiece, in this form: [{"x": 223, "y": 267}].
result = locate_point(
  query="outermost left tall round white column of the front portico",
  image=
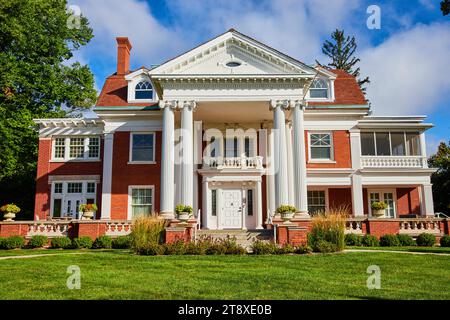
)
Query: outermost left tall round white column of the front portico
[{"x": 167, "y": 159}]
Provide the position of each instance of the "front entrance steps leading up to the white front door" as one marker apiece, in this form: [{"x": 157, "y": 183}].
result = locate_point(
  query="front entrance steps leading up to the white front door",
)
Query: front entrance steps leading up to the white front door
[{"x": 245, "y": 238}]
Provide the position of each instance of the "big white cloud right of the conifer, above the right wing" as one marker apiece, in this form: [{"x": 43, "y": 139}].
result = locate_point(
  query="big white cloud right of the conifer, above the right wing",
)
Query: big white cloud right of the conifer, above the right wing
[{"x": 409, "y": 71}]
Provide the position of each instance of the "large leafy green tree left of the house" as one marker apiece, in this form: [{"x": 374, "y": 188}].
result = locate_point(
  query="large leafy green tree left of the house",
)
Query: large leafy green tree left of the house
[{"x": 36, "y": 81}]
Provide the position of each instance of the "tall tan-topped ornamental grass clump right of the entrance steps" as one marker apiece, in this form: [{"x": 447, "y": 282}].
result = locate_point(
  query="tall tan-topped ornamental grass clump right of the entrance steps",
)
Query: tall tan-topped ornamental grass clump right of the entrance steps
[{"x": 329, "y": 228}]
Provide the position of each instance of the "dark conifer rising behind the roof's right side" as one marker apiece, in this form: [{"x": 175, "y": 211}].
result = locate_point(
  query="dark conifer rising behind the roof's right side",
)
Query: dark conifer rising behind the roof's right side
[{"x": 341, "y": 49}]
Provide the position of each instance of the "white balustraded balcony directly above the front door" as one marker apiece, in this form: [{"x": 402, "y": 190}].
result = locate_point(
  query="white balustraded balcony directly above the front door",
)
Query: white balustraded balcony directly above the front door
[{"x": 243, "y": 163}]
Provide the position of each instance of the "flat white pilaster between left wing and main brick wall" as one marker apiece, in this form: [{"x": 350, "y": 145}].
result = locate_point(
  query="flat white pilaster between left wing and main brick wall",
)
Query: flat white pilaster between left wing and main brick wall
[{"x": 107, "y": 176}]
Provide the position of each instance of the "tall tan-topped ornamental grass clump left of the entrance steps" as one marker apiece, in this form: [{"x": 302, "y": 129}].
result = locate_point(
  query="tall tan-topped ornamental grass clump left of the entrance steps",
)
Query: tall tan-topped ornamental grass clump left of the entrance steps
[{"x": 145, "y": 231}]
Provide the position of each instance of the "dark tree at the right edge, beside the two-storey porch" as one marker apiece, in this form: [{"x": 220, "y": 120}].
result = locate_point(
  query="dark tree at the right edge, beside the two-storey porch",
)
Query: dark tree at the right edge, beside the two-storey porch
[{"x": 441, "y": 178}]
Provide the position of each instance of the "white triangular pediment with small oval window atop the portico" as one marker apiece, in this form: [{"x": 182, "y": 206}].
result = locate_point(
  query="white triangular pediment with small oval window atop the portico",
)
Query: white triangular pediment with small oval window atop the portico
[{"x": 233, "y": 53}]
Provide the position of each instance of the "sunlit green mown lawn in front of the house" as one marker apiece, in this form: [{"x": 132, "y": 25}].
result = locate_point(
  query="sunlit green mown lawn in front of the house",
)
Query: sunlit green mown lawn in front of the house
[{"x": 117, "y": 274}]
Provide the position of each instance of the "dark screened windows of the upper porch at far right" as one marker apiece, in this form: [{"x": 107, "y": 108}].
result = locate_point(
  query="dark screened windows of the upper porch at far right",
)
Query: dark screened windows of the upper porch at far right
[{"x": 396, "y": 143}]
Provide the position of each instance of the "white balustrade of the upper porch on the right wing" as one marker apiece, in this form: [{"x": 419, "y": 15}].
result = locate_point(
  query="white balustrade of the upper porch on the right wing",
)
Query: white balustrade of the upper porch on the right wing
[{"x": 393, "y": 162}]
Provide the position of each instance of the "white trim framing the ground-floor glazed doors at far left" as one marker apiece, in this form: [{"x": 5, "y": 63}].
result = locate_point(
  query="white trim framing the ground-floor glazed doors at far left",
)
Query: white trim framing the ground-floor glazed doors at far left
[{"x": 84, "y": 195}]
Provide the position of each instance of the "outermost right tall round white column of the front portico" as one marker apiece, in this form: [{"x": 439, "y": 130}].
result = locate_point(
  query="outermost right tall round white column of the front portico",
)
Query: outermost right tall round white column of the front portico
[{"x": 299, "y": 155}]
